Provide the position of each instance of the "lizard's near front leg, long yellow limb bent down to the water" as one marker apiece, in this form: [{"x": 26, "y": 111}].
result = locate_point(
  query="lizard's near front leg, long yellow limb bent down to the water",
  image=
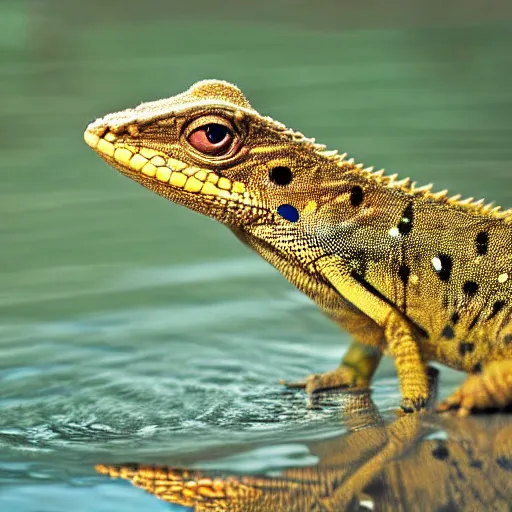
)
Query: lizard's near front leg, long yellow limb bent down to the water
[{"x": 399, "y": 336}]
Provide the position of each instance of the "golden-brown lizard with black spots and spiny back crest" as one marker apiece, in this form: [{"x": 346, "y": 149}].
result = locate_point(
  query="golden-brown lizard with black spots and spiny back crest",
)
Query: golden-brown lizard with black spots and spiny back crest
[{"x": 408, "y": 272}]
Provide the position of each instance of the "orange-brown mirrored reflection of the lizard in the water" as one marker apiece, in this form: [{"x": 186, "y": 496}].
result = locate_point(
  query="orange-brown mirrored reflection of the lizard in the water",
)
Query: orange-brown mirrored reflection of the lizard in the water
[{"x": 415, "y": 463}]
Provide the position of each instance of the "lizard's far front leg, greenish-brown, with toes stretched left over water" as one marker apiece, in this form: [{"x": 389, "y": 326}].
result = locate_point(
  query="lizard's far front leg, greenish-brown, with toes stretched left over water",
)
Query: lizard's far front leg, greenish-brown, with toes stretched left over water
[{"x": 355, "y": 371}]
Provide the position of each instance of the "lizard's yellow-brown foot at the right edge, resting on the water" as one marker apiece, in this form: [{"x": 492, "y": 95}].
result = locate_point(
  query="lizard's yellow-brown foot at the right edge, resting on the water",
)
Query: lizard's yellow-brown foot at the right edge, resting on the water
[{"x": 491, "y": 389}]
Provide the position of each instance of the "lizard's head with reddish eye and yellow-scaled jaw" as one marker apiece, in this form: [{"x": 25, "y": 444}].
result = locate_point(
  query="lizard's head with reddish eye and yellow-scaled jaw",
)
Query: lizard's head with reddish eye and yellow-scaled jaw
[{"x": 209, "y": 150}]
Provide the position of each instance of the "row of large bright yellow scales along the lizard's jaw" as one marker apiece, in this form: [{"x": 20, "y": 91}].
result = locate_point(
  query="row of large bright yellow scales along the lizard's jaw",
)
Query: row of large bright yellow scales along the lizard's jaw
[{"x": 155, "y": 165}]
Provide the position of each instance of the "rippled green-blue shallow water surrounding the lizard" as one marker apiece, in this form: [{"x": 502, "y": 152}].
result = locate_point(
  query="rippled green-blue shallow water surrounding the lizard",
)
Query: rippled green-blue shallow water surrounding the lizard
[{"x": 136, "y": 331}]
